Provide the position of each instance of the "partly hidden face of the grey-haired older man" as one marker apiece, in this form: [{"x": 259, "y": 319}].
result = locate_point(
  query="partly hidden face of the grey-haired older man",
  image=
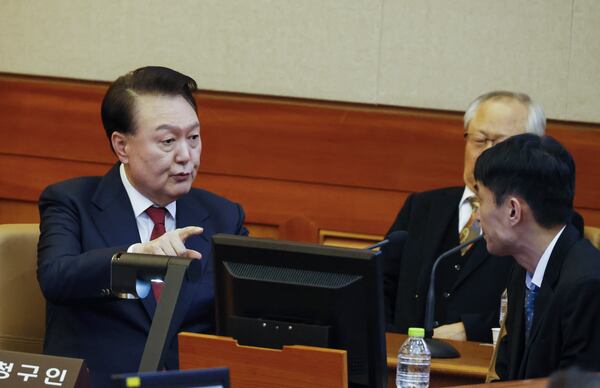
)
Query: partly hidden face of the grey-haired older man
[{"x": 494, "y": 121}]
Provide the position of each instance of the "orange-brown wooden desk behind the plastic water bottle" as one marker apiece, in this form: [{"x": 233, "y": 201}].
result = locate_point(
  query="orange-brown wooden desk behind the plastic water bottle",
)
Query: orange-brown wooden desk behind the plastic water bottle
[{"x": 470, "y": 368}]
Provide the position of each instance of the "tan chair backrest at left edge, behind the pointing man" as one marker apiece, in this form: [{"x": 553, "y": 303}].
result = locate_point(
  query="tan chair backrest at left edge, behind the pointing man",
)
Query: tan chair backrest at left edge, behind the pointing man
[{"x": 22, "y": 305}]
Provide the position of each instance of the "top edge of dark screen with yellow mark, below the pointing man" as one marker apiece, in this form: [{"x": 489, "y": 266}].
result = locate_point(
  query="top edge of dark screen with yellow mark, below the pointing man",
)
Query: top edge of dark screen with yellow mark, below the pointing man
[{"x": 194, "y": 378}]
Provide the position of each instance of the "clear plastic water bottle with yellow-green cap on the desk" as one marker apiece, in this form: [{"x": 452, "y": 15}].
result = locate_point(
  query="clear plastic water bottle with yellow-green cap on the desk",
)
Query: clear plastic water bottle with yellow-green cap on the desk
[{"x": 414, "y": 361}]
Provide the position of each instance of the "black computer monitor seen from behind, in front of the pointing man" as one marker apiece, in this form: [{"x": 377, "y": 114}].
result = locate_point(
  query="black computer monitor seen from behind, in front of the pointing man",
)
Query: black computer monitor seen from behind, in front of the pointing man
[{"x": 272, "y": 293}]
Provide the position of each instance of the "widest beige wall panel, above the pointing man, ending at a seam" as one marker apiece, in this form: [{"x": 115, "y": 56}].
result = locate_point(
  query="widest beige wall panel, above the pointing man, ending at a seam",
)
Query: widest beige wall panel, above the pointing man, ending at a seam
[{"x": 315, "y": 48}]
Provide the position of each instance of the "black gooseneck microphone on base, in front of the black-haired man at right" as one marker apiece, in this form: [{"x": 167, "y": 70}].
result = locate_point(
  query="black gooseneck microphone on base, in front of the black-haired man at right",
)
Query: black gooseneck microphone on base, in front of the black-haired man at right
[{"x": 440, "y": 349}]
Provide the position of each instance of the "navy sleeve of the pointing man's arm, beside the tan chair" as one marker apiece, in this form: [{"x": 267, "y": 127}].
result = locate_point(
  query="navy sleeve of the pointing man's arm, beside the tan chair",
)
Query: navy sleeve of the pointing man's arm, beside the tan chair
[{"x": 65, "y": 273}]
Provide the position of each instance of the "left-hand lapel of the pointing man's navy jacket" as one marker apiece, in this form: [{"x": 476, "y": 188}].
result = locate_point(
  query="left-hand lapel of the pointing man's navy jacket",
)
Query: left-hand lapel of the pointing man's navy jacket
[{"x": 115, "y": 220}]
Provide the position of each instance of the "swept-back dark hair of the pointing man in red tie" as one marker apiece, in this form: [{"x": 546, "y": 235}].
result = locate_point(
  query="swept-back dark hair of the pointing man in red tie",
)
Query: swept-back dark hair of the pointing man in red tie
[{"x": 119, "y": 101}]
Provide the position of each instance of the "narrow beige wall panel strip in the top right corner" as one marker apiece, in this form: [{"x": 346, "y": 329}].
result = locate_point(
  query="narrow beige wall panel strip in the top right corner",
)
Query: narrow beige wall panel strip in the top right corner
[{"x": 584, "y": 74}]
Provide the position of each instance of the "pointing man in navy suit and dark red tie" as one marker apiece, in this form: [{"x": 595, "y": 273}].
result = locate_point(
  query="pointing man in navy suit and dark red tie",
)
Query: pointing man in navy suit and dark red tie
[{"x": 144, "y": 204}]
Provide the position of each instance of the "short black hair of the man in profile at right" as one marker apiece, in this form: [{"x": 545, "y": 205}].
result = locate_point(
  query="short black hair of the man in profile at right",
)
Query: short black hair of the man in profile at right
[{"x": 538, "y": 169}]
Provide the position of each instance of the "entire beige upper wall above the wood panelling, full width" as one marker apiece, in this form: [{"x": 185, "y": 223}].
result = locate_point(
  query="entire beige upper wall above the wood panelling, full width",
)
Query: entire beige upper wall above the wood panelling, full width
[{"x": 417, "y": 53}]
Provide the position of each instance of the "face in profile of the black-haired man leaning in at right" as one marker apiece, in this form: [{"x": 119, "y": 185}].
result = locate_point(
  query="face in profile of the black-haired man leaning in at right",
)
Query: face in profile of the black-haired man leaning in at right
[{"x": 495, "y": 221}]
